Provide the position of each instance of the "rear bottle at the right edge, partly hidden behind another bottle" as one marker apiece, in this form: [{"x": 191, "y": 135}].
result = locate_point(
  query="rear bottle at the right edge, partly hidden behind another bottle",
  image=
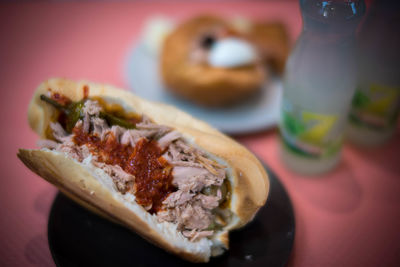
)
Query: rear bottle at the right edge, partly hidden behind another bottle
[{"x": 375, "y": 106}]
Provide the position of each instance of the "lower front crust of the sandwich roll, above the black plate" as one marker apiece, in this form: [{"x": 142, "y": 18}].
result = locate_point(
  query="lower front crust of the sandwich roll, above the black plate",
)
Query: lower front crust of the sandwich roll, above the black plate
[{"x": 77, "y": 181}]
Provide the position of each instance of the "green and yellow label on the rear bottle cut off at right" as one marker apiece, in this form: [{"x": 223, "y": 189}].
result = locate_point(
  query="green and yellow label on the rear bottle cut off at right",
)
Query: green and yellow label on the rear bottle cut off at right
[{"x": 375, "y": 107}]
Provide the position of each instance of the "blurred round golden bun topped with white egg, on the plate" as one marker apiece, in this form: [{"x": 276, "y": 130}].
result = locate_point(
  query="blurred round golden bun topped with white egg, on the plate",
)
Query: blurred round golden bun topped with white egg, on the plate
[{"x": 207, "y": 61}]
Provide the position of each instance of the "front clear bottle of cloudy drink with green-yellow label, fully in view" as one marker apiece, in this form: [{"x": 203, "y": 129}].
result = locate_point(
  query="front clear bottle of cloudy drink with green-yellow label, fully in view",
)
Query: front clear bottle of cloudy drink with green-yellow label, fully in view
[{"x": 319, "y": 85}]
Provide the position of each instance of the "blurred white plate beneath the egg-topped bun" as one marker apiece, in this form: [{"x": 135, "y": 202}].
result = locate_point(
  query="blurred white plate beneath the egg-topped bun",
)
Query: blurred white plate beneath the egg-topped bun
[{"x": 258, "y": 113}]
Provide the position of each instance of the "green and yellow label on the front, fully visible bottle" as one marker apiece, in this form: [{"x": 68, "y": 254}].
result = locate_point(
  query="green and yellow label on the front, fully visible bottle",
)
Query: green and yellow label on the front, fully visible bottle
[{"x": 310, "y": 134}]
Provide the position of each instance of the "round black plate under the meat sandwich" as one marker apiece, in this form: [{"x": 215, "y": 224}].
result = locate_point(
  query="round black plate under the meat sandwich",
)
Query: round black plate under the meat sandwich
[{"x": 78, "y": 237}]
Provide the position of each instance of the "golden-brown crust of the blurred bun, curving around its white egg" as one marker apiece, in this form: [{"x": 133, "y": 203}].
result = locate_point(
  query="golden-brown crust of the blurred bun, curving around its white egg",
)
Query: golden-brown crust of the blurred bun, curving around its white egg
[{"x": 201, "y": 83}]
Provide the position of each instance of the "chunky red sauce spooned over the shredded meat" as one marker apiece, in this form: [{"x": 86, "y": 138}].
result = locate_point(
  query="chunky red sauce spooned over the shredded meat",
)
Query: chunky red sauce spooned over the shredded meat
[{"x": 152, "y": 172}]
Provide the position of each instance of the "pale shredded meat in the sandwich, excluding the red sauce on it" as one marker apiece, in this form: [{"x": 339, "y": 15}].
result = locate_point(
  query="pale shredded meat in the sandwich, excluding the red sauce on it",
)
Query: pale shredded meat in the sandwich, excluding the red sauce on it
[{"x": 192, "y": 170}]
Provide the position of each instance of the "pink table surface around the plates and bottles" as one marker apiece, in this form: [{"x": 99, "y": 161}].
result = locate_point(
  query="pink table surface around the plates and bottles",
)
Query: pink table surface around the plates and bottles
[{"x": 349, "y": 217}]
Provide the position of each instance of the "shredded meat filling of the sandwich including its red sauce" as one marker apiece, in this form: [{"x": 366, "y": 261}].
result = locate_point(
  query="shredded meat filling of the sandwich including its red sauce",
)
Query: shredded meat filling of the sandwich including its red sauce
[{"x": 169, "y": 178}]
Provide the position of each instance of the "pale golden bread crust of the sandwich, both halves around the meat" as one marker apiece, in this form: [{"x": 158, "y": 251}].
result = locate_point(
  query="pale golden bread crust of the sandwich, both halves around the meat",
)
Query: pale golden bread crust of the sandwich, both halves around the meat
[{"x": 249, "y": 181}]
